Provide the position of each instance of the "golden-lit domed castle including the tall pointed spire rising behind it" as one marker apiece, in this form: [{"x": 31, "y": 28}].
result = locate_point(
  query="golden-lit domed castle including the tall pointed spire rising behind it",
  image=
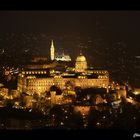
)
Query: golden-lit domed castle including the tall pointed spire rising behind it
[{"x": 39, "y": 79}]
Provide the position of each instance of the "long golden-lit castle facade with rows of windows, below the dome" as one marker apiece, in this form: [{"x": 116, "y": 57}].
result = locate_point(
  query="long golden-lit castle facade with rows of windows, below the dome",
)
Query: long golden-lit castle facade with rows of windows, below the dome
[{"x": 38, "y": 82}]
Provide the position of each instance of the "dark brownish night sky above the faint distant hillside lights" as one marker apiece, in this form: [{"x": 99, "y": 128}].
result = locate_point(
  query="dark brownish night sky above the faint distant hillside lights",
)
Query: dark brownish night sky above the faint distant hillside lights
[{"x": 44, "y": 21}]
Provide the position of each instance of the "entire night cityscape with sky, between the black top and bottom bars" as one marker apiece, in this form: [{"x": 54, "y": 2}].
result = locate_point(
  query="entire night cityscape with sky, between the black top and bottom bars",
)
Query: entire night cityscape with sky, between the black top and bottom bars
[{"x": 69, "y": 70}]
